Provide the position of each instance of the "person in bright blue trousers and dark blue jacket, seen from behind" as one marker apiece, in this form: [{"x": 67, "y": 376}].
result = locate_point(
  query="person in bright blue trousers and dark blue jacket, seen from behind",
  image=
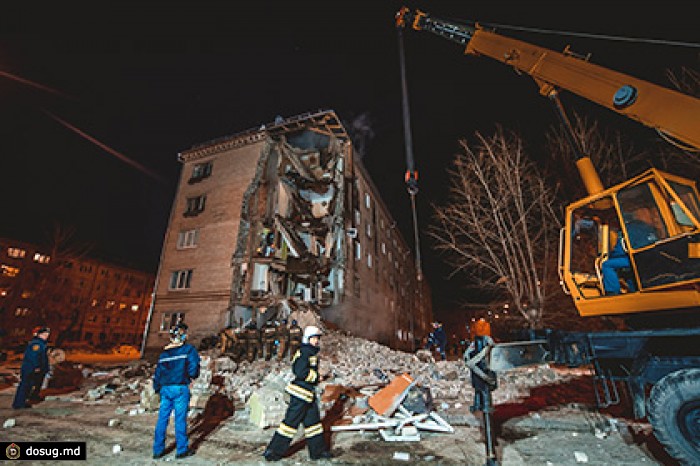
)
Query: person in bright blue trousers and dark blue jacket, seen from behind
[{"x": 177, "y": 366}]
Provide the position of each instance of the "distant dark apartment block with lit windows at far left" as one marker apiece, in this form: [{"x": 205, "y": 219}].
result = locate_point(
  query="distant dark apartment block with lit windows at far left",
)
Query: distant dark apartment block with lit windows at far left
[{"x": 80, "y": 299}]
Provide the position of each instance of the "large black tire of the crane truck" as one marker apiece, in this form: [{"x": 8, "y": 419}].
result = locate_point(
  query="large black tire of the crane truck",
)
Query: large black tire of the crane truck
[{"x": 674, "y": 413}]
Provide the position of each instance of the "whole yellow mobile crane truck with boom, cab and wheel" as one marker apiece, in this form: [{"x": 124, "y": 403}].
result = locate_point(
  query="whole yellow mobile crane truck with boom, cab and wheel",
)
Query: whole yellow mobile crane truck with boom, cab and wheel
[{"x": 657, "y": 289}]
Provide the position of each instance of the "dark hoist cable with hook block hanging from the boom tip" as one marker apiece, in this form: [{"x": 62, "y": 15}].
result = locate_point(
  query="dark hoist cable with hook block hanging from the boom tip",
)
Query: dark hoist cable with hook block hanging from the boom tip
[{"x": 411, "y": 177}]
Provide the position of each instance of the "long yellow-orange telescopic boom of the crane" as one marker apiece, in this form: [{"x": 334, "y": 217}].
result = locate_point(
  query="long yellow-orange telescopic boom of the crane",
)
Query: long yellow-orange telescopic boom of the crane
[{"x": 663, "y": 109}]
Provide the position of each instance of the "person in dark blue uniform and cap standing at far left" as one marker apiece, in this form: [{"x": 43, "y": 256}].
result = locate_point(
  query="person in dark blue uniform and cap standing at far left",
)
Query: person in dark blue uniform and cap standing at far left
[{"x": 35, "y": 365}]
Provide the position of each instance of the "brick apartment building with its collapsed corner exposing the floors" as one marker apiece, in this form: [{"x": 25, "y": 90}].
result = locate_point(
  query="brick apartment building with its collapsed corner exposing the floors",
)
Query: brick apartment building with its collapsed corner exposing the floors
[{"x": 279, "y": 221}]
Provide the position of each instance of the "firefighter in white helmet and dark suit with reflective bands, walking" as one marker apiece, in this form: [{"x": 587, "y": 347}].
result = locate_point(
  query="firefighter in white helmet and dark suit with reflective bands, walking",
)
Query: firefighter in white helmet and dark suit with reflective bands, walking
[{"x": 303, "y": 403}]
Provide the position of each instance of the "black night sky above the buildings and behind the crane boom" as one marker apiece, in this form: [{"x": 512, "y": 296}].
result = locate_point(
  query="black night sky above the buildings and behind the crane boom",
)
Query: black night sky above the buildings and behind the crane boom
[{"x": 148, "y": 80}]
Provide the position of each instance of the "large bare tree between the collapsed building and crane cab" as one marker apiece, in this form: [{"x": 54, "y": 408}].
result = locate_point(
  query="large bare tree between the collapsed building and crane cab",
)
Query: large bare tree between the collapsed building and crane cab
[{"x": 500, "y": 223}]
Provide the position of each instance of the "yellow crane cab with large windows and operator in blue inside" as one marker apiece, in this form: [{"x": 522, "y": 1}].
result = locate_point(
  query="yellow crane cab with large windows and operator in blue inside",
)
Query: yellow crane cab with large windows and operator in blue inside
[{"x": 633, "y": 248}]
